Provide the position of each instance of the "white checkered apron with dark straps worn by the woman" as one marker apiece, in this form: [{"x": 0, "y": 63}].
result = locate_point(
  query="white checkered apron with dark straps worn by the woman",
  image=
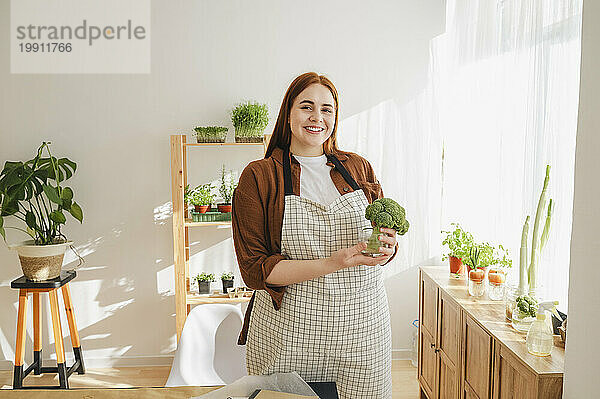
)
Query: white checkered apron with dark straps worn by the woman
[{"x": 331, "y": 328}]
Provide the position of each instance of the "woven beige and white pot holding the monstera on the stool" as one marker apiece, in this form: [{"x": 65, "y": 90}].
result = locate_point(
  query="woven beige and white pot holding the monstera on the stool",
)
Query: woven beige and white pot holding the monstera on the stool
[{"x": 41, "y": 262}]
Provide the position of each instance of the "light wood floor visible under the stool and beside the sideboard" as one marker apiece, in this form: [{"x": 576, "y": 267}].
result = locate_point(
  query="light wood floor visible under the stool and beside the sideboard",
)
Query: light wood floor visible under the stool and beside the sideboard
[{"x": 404, "y": 378}]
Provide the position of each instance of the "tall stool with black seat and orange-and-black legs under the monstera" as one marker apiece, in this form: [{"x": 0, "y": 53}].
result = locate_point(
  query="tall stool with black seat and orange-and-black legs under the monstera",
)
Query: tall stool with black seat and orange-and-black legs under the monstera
[{"x": 26, "y": 287}]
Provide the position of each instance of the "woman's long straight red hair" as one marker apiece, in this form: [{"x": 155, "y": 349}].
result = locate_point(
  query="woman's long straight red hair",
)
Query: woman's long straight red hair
[{"x": 282, "y": 134}]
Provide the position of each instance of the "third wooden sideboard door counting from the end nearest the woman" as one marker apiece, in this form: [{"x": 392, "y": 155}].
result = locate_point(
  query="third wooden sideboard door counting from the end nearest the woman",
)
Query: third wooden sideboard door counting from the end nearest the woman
[{"x": 477, "y": 355}]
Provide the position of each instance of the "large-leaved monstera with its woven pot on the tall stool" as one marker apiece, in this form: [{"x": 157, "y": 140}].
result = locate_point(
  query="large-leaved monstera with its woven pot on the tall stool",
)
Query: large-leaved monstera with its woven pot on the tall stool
[{"x": 34, "y": 192}]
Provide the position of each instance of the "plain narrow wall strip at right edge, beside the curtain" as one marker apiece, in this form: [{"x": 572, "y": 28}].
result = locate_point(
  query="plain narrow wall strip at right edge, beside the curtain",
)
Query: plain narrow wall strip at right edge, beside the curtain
[{"x": 582, "y": 350}]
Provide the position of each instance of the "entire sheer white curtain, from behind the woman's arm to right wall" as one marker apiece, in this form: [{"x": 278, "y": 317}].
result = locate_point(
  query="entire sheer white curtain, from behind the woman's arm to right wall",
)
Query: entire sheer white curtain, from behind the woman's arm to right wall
[{"x": 501, "y": 104}]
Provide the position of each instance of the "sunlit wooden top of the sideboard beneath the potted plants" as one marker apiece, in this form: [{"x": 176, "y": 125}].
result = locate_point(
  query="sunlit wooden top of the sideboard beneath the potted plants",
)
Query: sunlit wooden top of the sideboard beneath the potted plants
[{"x": 490, "y": 315}]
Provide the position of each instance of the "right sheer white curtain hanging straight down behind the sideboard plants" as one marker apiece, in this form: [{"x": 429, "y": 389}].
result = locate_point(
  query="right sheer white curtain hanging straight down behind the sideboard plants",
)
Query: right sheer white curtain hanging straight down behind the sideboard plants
[{"x": 508, "y": 97}]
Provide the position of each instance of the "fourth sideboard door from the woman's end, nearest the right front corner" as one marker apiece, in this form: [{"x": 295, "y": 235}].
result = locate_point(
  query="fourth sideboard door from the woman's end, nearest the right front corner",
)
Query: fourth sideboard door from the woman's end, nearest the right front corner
[{"x": 512, "y": 379}]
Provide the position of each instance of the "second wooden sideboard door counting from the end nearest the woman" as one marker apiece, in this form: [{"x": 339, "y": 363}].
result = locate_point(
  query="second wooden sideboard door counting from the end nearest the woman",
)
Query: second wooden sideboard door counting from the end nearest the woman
[{"x": 448, "y": 347}]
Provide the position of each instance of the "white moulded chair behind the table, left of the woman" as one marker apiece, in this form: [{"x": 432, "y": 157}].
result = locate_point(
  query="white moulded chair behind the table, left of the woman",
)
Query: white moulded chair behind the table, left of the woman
[{"x": 208, "y": 353}]
